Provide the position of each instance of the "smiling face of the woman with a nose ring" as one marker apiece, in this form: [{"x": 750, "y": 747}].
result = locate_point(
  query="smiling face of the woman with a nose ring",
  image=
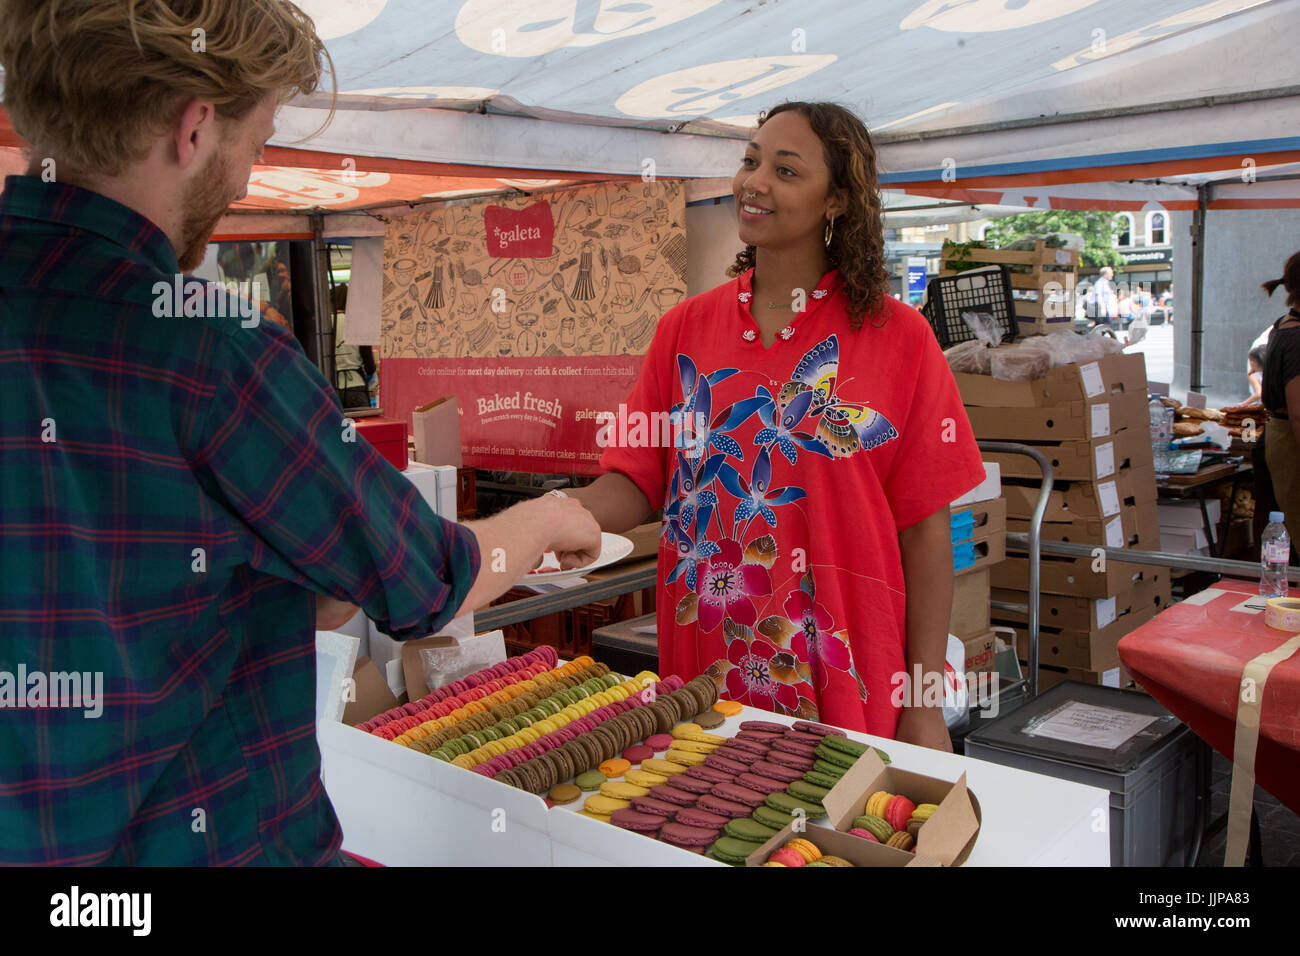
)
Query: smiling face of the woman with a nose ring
[{"x": 781, "y": 189}]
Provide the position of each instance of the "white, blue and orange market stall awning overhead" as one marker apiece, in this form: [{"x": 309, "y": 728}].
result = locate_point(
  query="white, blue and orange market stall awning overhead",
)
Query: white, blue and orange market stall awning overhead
[{"x": 1106, "y": 102}]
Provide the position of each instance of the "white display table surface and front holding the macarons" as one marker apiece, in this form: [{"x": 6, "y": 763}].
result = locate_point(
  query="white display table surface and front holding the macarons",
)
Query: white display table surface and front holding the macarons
[{"x": 406, "y": 810}]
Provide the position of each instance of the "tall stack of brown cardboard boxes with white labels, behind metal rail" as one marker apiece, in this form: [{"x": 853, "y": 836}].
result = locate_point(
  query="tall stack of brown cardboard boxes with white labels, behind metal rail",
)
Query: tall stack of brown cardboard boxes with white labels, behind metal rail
[{"x": 1091, "y": 422}]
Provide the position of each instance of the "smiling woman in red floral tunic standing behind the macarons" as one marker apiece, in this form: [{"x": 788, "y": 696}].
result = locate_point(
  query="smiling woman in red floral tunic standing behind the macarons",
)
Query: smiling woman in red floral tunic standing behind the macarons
[{"x": 807, "y": 556}]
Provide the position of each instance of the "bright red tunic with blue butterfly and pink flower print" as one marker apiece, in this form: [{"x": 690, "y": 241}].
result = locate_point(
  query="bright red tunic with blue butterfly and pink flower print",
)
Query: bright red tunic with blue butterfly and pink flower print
[{"x": 790, "y": 474}]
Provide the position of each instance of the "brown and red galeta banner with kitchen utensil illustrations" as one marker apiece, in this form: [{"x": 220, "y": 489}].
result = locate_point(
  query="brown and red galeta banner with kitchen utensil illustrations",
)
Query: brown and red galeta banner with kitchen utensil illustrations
[{"x": 535, "y": 313}]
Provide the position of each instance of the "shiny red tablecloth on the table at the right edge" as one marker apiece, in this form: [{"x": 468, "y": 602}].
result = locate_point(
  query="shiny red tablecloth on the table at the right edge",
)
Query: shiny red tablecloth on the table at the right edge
[{"x": 1190, "y": 659}]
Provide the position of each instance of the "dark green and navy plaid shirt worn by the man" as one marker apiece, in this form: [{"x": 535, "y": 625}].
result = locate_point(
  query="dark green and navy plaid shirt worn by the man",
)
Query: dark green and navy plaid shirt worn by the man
[{"x": 172, "y": 494}]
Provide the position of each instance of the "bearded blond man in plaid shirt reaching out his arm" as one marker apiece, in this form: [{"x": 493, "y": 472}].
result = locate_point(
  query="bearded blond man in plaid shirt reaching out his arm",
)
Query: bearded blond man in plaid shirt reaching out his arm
[{"x": 183, "y": 503}]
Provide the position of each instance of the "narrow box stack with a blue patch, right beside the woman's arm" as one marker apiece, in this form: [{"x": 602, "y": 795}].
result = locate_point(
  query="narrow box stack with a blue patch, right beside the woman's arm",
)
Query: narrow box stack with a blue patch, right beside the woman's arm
[{"x": 980, "y": 543}]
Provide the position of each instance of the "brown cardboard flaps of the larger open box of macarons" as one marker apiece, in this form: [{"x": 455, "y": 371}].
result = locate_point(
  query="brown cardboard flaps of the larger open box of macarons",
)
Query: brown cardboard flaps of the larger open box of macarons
[{"x": 956, "y": 821}]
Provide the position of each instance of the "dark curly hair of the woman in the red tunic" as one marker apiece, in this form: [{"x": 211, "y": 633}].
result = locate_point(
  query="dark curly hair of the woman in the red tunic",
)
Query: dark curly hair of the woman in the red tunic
[{"x": 859, "y": 241}]
